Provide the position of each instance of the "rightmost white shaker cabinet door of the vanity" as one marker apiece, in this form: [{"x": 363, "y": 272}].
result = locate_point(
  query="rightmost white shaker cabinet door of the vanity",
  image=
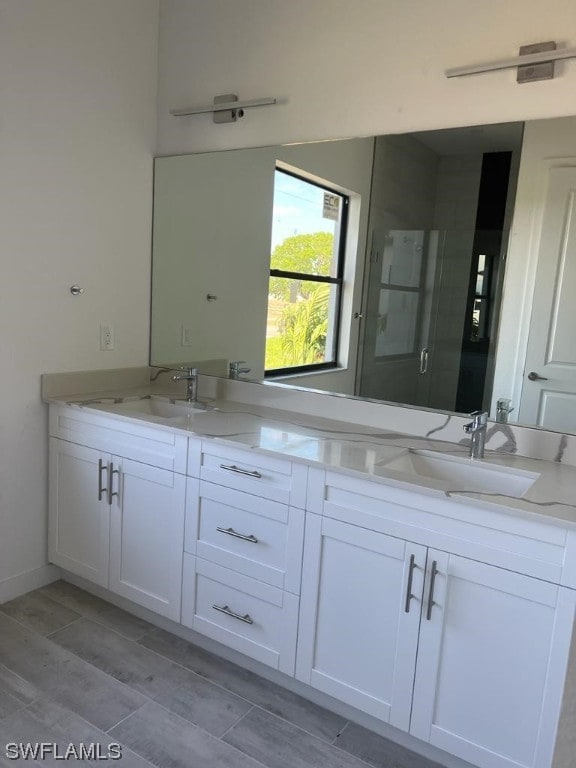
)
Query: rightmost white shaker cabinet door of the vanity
[{"x": 491, "y": 663}]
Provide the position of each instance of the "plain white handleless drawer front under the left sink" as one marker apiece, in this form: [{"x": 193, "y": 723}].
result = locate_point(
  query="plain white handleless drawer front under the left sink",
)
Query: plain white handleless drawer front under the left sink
[{"x": 123, "y": 437}]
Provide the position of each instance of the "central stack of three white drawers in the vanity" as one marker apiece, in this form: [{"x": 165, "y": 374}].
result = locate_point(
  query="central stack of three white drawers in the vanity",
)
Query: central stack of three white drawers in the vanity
[{"x": 243, "y": 551}]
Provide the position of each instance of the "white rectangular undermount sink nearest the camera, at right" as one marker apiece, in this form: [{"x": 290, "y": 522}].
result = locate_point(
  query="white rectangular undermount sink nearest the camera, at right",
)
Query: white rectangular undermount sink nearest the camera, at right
[{"x": 461, "y": 474}]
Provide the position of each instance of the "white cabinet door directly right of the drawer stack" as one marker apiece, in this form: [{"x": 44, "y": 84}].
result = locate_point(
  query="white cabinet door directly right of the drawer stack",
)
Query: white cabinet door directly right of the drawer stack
[{"x": 358, "y": 630}]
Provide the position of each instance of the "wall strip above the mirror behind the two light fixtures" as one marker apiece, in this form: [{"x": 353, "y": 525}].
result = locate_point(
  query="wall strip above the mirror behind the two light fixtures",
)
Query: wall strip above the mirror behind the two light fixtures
[{"x": 352, "y": 69}]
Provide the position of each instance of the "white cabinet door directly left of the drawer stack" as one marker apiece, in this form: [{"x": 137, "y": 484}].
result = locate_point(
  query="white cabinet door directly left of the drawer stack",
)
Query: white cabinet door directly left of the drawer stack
[{"x": 147, "y": 536}]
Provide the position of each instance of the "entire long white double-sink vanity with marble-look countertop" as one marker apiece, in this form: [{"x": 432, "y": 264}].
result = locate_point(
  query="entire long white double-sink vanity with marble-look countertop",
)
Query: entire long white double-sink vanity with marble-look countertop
[{"x": 433, "y": 593}]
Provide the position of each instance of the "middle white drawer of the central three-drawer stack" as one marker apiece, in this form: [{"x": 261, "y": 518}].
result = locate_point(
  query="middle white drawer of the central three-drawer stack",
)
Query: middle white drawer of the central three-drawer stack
[{"x": 249, "y": 534}]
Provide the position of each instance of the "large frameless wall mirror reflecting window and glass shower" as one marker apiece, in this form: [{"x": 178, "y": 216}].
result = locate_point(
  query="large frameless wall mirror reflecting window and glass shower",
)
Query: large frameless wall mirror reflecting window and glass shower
[{"x": 434, "y": 269}]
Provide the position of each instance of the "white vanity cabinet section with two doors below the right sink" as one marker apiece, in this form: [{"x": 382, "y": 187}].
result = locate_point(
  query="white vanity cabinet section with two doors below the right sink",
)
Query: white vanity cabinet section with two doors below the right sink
[{"x": 467, "y": 655}]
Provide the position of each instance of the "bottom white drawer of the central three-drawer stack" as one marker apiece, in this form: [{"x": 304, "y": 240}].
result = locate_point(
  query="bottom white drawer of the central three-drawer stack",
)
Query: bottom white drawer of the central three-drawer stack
[{"x": 242, "y": 613}]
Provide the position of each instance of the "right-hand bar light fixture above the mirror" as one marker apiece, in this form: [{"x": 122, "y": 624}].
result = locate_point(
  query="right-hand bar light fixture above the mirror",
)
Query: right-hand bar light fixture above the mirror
[{"x": 534, "y": 62}]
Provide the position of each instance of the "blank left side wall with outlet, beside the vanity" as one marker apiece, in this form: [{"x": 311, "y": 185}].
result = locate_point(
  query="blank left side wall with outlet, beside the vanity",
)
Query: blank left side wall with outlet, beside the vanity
[{"x": 77, "y": 135}]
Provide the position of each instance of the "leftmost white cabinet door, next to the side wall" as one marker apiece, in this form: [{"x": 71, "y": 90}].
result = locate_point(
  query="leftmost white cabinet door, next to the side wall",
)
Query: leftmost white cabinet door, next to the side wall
[{"x": 79, "y": 521}]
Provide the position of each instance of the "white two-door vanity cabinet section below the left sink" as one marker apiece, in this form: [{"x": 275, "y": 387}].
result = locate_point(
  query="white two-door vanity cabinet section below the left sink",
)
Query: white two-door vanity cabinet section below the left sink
[{"x": 114, "y": 520}]
